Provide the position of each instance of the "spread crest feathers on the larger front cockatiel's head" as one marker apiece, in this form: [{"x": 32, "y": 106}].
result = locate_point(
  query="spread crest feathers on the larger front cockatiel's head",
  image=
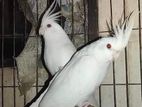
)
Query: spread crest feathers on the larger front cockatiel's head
[{"x": 123, "y": 28}]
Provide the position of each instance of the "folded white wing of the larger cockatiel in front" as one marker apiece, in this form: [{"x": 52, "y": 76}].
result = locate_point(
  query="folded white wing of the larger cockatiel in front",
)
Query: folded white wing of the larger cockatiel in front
[{"x": 72, "y": 84}]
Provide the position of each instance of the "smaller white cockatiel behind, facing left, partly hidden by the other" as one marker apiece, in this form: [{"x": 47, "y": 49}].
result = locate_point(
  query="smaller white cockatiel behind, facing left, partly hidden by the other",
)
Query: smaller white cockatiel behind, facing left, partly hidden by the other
[{"x": 58, "y": 47}]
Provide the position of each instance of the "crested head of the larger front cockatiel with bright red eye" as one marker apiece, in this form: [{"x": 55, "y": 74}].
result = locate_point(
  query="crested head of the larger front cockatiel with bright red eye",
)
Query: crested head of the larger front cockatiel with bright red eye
[{"x": 112, "y": 46}]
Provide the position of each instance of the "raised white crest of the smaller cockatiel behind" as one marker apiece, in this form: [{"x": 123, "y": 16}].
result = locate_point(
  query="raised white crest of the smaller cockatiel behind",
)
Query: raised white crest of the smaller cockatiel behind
[{"x": 49, "y": 15}]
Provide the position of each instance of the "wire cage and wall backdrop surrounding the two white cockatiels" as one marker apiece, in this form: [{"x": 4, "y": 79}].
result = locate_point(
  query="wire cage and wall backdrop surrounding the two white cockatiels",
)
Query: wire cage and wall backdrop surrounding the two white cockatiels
[{"x": 22, "y": 73}]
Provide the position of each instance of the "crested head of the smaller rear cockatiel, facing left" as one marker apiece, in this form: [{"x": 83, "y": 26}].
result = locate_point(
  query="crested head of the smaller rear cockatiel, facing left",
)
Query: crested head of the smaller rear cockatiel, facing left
[{"x": 48, "y": 23}]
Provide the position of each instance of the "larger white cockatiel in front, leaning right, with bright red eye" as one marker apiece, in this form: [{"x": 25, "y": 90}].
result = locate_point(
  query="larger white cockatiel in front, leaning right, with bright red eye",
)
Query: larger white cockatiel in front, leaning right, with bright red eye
[{"x": 85, "y": 71}]
